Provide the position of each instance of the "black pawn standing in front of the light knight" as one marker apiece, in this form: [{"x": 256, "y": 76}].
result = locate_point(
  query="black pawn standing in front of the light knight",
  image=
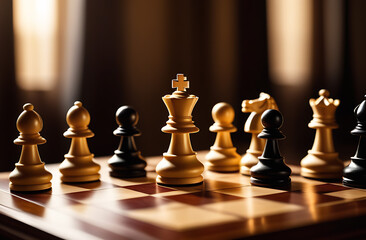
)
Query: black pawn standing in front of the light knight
[{"x": 271, "y": 171}]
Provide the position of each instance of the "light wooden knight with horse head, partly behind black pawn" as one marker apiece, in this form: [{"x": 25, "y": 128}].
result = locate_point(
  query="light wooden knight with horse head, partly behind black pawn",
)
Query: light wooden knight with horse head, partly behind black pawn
[{"x": 253, "y": 125}]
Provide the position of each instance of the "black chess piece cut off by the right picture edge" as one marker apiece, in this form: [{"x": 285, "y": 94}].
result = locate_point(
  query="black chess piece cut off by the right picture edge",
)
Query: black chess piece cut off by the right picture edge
[{"x": 354, "y": 175}]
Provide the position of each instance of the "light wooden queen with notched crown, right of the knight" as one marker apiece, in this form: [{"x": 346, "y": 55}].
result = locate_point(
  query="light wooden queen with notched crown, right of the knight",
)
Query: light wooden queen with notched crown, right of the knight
[{"x": 322, "y": 161}]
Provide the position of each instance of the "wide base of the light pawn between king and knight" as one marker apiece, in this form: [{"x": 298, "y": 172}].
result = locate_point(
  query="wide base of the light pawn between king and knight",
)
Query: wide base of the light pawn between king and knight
[{"x": 223, "y": 160}]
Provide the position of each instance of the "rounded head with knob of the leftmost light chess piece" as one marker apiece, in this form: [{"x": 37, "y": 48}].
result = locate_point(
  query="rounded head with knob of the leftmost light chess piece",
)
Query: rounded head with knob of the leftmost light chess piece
[{"x": 29, "y": 121}]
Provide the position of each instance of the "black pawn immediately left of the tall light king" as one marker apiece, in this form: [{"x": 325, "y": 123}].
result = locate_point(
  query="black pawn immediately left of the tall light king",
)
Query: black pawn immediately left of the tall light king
[{"x": 127, "y": 161}]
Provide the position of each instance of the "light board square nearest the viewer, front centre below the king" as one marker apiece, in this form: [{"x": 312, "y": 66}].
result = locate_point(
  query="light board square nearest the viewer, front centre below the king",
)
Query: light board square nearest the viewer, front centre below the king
[{"x": 178, "y": 216}]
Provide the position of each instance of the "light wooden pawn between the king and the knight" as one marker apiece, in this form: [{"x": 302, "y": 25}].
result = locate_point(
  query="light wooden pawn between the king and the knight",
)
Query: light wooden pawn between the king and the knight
[{"x": 223, "y": 156}]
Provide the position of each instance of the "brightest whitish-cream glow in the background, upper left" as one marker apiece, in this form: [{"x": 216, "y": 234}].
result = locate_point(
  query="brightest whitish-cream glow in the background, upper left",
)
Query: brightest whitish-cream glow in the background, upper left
[{"x": 35, "y": 33}]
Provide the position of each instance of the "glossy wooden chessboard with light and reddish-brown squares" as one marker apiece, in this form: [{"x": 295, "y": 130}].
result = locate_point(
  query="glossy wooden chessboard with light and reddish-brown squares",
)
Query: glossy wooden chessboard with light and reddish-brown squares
[{"x": 226, "y": 206}]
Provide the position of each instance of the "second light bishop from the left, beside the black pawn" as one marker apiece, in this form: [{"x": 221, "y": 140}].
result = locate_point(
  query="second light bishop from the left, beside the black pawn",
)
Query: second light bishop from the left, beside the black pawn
[{"x": 78, "y": 165}]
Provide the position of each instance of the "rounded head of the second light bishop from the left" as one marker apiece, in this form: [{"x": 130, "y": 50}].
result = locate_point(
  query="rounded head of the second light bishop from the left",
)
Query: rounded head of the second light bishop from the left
[{"x": 78, "y": 117}]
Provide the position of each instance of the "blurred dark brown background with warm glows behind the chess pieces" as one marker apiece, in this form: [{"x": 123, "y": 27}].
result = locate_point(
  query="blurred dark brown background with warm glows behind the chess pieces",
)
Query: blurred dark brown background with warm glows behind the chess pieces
[{"x": 109, "y": 53}]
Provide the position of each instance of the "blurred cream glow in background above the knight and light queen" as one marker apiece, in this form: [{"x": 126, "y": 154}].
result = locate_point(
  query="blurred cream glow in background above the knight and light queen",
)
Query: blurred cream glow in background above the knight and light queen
[{"x": 289, "y": 40}]
